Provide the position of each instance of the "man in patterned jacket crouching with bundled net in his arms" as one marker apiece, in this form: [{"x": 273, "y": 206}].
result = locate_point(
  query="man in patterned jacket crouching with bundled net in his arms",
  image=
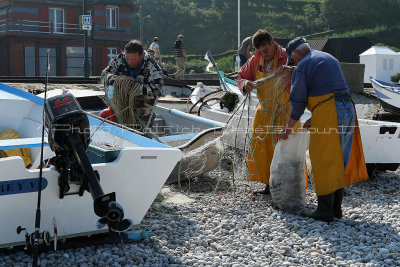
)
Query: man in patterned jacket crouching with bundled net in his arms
[{"x": 132, "y": 83}]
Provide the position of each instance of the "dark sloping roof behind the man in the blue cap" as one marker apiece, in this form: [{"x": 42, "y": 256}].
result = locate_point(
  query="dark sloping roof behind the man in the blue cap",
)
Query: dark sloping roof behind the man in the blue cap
[{"x": 343, "y": 49}]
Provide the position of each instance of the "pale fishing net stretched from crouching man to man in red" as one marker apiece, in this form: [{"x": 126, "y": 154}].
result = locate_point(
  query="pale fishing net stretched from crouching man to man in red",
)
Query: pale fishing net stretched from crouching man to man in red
[{"x": 227, "y": 150}]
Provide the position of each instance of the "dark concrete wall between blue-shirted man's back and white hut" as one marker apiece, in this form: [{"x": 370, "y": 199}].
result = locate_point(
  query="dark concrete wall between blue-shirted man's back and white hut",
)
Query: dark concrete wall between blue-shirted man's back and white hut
[{"x": 354, "y": 75}]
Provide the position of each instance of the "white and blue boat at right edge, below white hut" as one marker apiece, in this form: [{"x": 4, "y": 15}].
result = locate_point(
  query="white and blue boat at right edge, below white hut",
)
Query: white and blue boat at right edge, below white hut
[{"x": 388, "y": 95}]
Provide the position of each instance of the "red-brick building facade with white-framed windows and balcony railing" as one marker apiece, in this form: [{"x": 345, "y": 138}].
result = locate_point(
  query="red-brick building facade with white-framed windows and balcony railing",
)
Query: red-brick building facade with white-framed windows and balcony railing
[{"x": 29, "y": 29}]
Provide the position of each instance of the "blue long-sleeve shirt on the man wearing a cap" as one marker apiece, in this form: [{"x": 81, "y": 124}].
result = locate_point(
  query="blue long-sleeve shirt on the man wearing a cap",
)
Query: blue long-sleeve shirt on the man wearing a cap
[{"x": 318, "y": 73}]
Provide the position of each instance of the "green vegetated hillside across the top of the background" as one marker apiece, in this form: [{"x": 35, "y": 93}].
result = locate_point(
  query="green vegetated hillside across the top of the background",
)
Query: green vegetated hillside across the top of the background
[{"x": 212, "y": 24}]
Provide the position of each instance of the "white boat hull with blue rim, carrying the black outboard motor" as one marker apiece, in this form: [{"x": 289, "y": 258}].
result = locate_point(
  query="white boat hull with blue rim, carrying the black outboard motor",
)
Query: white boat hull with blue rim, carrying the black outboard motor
[{"x": 136, "y": 175}]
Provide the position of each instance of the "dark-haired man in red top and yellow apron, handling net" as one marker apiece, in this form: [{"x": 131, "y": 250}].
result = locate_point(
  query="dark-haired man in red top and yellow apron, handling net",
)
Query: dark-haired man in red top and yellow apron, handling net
[{"x": 273, "y": 109}]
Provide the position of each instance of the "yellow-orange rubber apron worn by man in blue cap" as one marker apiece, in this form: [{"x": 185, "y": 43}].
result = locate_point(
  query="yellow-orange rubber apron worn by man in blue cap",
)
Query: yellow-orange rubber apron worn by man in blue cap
[{"x": 326, "y": 151}]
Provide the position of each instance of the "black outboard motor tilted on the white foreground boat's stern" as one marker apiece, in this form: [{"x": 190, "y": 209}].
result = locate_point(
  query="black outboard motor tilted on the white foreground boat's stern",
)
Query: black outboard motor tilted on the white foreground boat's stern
[{"x": 69, "y": 135}]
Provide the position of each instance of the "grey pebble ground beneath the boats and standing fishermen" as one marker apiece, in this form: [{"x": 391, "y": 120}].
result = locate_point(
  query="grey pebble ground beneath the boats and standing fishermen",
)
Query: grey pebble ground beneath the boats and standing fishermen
[{"x": 201, "y": 225}]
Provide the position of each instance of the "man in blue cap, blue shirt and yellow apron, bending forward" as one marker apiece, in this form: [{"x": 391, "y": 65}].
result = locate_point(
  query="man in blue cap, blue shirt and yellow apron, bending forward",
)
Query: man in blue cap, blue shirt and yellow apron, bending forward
[{"x": 335, "y": 149}]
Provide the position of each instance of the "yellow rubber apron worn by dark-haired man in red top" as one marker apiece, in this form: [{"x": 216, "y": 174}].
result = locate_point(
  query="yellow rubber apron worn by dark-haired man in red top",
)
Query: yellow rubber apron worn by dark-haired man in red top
[{"x": 271, "y": 115}]
